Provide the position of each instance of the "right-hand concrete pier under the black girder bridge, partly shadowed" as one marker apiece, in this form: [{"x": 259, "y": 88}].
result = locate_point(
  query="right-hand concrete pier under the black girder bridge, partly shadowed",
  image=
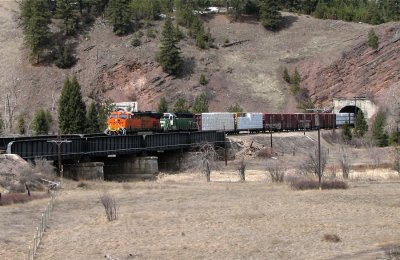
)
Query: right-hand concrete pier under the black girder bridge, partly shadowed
[{"x": 130, "y": 168}]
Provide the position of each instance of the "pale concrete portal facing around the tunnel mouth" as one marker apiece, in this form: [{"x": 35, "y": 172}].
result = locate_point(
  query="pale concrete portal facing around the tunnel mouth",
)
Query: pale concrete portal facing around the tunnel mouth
[{"x": 352, "y": 105}]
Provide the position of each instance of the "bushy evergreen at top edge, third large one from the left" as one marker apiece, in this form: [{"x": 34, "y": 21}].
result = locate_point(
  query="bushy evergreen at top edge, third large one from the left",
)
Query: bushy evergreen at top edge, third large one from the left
[{"x": 119, "y": 16}]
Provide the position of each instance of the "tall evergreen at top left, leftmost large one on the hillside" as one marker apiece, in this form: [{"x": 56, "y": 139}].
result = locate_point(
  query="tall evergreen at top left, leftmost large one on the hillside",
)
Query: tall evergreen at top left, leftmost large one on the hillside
[{"x": 36, "y": 18}]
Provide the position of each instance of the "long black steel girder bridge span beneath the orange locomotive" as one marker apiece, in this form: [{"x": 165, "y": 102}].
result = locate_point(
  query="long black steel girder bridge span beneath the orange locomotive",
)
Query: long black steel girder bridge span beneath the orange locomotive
[{"x": 97, "y": 145}]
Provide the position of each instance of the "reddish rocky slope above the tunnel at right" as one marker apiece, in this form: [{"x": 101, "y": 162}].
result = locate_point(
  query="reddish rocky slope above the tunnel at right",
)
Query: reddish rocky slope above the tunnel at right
[{"x": 360, "y": 71}]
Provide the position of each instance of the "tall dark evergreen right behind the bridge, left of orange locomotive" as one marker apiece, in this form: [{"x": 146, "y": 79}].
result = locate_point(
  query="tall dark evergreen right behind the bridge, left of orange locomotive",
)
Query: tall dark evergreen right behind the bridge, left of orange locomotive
[{"x": 72, "y": 110}]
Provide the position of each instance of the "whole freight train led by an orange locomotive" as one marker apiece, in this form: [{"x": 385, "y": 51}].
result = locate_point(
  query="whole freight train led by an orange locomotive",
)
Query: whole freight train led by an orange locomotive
[{"x": 125, "y": 122}]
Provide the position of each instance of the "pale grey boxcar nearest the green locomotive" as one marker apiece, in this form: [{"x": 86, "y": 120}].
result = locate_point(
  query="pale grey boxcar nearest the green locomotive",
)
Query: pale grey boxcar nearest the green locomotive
[{"x": 218, "y": 121}]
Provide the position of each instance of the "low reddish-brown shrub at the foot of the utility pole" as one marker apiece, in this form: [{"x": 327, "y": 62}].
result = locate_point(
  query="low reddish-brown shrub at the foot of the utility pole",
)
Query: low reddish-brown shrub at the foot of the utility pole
[{"x": 312, "y": 184}]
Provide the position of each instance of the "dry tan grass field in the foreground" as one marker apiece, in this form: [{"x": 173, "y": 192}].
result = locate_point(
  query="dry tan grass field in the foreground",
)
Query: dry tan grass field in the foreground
[{"x": 183, "y": 217}]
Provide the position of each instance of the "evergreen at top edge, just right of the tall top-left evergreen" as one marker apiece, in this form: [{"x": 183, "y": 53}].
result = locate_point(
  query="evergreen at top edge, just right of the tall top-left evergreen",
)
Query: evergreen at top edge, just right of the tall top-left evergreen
[{"x": 67, "y": 10}]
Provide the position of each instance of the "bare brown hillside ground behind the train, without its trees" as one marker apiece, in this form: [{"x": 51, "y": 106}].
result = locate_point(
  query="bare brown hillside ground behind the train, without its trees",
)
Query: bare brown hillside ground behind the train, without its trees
[{"x": 332, "y": 57}]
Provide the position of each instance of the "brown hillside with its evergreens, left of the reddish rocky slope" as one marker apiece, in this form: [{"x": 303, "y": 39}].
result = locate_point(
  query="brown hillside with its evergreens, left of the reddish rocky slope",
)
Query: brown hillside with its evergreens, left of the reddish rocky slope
[{"x": 119, "y": 50}]
